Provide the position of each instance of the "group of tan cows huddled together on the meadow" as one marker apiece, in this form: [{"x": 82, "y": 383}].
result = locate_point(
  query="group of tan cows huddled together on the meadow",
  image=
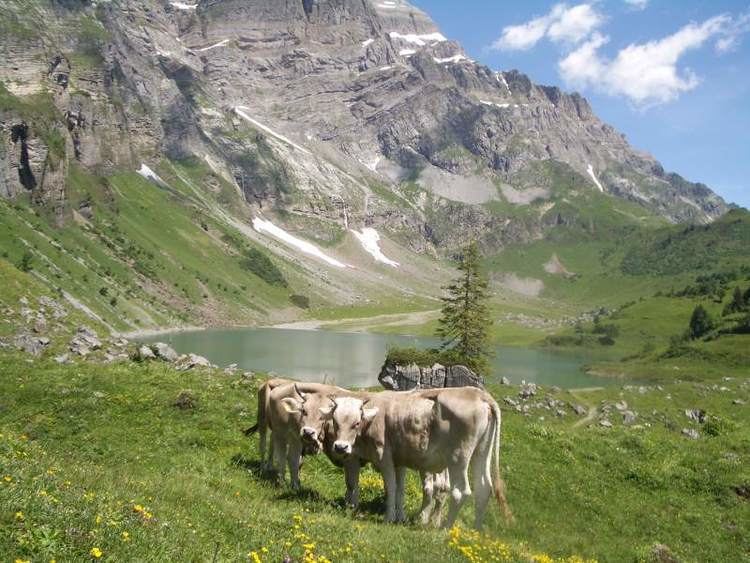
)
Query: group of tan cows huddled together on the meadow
[{"x": 445, "y": 434}]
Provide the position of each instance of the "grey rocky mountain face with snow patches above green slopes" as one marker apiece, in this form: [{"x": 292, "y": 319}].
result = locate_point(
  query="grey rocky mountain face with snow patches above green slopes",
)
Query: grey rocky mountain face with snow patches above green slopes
[{"x": 333, "y": 122}]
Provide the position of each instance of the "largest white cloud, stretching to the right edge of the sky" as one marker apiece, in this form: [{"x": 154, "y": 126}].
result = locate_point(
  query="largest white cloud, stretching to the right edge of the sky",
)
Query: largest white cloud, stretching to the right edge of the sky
[{"x": 648, "y": 73}]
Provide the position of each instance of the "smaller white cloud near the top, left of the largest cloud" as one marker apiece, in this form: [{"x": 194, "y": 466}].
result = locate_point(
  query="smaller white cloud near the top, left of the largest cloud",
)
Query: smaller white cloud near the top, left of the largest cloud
[{"x": 563, "y": 24}]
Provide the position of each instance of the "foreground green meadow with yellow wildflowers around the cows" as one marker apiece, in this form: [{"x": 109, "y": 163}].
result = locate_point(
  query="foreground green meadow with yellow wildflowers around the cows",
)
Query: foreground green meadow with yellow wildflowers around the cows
[{"x": 97, "y": 463}]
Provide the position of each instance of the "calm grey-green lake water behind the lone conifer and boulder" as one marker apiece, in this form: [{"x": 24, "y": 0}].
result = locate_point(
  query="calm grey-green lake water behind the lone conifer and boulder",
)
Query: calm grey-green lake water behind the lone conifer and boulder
[{"x": 354, "y": 359}]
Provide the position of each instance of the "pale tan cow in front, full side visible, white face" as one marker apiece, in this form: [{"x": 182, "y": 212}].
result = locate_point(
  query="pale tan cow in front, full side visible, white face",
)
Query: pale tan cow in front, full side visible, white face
[{"x": 430, "y": 431}]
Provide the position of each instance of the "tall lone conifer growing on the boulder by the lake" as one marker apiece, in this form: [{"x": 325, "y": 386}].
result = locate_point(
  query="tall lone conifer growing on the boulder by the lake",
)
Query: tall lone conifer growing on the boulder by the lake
[{"x": 465, "y": 321}]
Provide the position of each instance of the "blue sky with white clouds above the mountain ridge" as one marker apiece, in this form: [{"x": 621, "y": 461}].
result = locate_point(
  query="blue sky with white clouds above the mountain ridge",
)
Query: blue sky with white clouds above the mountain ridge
[{"x": 672, "y": 75}]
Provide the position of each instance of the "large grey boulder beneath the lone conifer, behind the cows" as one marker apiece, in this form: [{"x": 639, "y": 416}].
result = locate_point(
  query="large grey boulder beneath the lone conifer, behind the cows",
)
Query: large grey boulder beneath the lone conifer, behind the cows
[{"x": 404, "y": 377}]
